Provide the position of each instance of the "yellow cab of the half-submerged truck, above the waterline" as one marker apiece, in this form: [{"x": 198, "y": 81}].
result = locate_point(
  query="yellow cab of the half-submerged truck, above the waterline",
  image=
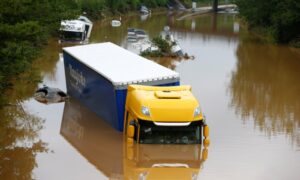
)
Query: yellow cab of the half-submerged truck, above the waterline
[{"x": 163, "y": 115}]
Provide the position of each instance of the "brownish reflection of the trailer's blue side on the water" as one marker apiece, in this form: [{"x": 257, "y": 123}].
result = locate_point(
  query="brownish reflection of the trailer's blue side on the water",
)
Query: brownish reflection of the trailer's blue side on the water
[{"x": 93, "y": 138}]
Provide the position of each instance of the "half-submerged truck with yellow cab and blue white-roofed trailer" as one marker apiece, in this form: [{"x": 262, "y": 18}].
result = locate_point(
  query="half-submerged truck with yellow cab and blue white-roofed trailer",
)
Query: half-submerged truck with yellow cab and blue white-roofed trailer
[{"x": 134, "y": 94}]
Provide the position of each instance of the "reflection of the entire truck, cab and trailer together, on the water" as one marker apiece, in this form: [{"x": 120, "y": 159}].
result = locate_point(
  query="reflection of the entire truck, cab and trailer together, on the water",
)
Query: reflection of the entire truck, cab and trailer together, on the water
[{"x": 105, "y": 149}]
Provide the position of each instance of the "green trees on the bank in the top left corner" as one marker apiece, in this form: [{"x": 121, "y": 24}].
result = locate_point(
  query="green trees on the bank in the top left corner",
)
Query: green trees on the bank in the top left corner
[{"x": 25, "y": 26}]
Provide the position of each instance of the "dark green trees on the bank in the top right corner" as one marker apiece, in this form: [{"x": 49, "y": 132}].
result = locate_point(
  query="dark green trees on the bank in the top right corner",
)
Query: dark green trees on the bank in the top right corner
[{"x": 279, "y": 19}]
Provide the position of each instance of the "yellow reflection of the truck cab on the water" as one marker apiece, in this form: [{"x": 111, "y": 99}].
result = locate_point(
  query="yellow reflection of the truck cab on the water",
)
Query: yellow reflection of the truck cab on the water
[{"x": 143, "y": 161}]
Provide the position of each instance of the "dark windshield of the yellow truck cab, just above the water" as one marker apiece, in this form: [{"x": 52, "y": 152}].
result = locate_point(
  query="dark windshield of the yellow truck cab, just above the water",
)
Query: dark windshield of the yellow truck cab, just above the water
[{"x": 152, "y": 134}]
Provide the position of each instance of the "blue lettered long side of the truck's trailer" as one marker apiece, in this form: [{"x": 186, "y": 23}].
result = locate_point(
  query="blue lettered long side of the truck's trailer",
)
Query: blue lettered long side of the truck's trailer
[{"x": 92, "y": 89}]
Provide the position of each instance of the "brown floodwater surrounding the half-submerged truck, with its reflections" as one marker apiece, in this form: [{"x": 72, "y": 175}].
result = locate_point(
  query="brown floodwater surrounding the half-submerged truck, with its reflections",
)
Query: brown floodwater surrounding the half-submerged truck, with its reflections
[{"x": 248, "y": 90}]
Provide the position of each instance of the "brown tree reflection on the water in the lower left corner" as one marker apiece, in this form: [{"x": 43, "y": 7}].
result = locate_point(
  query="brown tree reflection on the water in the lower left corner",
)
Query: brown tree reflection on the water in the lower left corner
[{"x": 19, "y": 142}]
